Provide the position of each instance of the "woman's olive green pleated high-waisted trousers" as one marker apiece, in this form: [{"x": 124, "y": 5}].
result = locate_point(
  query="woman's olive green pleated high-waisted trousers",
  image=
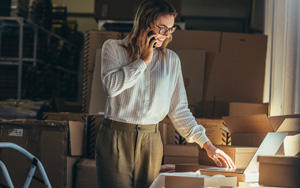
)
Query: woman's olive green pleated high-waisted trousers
[{"x": 127, "y": 155}]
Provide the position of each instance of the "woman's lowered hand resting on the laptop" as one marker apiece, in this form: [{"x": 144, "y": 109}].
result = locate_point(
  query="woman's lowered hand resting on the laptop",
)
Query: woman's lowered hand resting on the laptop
[{"x": 217, "y": 154}]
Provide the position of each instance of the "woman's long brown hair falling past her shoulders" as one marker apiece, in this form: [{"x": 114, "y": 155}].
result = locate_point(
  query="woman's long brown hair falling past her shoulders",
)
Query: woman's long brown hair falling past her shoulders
[{"x": 147, "y": 13}]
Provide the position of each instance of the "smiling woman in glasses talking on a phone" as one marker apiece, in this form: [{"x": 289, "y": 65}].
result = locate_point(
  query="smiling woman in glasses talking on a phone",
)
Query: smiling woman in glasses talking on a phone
[{"x": 144, "y": 84}]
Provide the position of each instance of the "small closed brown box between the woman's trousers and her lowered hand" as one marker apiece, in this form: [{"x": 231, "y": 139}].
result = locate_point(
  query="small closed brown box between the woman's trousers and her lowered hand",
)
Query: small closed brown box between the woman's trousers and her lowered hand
[{"x": 174, "y": 154}]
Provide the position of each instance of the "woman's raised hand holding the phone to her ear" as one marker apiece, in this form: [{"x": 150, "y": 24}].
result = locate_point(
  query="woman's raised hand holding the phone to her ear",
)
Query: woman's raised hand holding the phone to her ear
[{"x": 147, "y": 49}]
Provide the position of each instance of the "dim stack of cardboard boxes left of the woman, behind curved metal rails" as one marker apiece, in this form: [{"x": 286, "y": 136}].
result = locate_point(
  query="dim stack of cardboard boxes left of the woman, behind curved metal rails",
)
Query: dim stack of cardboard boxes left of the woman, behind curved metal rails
[{"x": 63, "y": 142}]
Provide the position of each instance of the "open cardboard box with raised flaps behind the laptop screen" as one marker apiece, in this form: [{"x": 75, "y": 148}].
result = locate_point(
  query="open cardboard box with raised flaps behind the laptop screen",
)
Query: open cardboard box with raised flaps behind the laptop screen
[{"x": 251, "y": 130}]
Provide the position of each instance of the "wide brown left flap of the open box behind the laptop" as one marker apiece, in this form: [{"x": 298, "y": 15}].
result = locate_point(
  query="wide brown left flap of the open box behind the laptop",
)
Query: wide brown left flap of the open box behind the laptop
[{"x": 248, "y": 124}]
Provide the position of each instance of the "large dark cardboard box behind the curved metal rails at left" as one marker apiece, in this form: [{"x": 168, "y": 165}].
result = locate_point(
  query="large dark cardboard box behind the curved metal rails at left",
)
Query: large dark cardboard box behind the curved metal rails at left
[{"x": 37, "y": 137}]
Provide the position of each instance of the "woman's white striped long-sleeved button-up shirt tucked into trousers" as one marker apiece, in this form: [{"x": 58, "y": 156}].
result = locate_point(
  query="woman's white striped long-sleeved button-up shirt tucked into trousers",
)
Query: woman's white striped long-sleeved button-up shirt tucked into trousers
[{"x": 145, "y": 94}]
